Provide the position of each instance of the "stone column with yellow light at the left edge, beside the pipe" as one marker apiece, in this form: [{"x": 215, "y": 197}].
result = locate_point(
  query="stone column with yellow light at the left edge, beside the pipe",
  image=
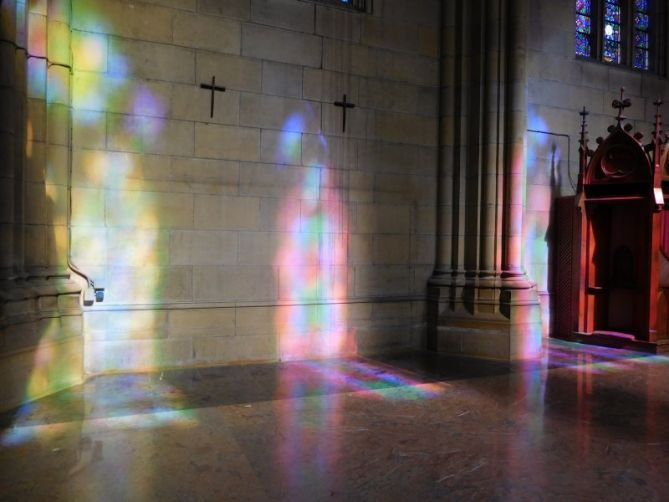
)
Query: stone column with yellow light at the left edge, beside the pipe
[{"x": 41, "y": 345}]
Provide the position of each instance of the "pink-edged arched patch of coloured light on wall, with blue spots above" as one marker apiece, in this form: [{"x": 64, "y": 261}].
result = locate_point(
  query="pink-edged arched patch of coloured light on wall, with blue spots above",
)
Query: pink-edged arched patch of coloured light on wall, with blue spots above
[{"x": 311, "y": 260}]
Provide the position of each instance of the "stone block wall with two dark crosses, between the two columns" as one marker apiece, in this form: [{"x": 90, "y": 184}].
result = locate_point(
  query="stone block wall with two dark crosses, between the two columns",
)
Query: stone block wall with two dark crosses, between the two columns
[{"x": 263, "y": 232}]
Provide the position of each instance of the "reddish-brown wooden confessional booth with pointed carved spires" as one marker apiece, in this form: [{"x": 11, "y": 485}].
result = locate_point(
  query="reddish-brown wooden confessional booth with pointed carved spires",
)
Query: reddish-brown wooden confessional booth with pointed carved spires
[{"x": 611, "y": 267}]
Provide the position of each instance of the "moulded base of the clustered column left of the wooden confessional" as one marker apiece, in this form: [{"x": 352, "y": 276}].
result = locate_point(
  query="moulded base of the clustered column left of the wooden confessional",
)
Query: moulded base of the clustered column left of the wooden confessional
[{"x": 485, "y": 318}]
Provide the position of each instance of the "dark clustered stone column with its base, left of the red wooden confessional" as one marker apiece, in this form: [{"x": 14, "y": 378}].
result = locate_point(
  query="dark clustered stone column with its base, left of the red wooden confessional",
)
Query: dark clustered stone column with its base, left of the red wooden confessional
[{"x": 489, "y": 309}]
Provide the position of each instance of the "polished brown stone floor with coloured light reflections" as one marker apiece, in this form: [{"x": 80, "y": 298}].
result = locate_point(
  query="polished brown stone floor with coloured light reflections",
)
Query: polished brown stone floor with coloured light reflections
[{"x": 584, "y": 423}]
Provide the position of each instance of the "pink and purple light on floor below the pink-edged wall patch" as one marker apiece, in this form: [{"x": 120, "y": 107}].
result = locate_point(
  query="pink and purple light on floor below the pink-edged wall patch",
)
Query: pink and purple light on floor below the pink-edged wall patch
[{"x": 312, "y": 410}]
